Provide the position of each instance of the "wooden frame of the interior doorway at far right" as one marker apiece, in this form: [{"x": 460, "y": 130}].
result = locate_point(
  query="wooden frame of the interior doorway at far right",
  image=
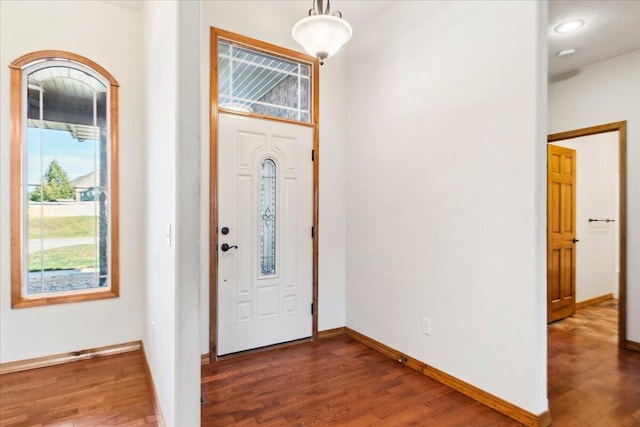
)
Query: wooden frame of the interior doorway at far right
[{"x": 621, "y": 128}]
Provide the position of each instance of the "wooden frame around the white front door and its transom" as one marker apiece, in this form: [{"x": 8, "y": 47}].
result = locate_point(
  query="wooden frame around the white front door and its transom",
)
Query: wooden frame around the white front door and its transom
[{"x": 253, "y": 44}]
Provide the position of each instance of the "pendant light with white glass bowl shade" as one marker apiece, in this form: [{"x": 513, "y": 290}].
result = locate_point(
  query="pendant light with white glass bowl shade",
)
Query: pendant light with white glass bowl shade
[{"x": 322, "y": 33}]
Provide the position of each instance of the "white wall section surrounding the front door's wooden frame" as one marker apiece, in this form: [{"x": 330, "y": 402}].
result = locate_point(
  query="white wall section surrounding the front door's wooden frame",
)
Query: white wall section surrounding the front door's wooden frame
[{"x": 272, "y": 22}]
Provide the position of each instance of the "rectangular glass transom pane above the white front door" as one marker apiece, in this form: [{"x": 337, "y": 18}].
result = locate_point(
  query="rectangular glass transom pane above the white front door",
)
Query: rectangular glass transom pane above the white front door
[{"x": 256, "y": 82}]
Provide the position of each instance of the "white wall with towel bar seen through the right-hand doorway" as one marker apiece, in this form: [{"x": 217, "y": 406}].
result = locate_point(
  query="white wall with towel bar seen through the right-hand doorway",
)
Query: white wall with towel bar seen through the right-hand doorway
[{"x": 597, "y": 189}]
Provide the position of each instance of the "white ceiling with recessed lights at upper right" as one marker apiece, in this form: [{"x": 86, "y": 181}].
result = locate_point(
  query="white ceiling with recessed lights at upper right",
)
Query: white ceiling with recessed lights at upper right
[{"x": 612, "y": 28}]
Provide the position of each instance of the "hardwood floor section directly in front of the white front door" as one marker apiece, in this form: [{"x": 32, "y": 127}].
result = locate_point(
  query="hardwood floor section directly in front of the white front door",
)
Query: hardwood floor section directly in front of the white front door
[{"x": 337, "y": 381}]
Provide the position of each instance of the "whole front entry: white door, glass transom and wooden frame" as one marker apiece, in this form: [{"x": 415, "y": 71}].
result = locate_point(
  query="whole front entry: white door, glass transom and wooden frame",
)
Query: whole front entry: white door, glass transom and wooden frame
[{"x": 264, "y": 157}]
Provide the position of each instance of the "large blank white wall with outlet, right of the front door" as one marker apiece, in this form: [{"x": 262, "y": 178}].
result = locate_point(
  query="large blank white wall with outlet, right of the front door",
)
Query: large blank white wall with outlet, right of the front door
[{"x": 445, "y": 190}]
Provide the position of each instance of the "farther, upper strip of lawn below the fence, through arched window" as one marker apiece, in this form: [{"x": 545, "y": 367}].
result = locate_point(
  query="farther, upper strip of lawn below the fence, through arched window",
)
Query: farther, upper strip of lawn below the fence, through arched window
[{"x": 63, "y": 227}]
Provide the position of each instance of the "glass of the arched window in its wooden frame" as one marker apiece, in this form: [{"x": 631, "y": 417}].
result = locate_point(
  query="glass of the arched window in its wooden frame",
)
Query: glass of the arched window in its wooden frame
[{"x": 67, "y": 165}]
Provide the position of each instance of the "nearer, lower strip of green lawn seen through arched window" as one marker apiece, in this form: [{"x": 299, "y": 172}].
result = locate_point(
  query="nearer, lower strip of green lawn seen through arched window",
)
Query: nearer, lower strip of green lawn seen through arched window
[{"x": 65, "y": 258}]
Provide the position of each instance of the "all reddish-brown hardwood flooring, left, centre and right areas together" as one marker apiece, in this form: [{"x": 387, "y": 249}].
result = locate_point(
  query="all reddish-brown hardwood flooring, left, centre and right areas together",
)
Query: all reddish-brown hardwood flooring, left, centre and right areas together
[{"x": 337, "y": 381}]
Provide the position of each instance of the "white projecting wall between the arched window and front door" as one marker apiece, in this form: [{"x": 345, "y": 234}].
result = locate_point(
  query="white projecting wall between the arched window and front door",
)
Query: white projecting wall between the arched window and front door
[{"x": 171, "y": 332}]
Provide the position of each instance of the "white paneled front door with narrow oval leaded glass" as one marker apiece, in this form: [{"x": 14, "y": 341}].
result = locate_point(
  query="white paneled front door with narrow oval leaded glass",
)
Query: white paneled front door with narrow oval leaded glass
[{"x": 265, "y": 215}]
